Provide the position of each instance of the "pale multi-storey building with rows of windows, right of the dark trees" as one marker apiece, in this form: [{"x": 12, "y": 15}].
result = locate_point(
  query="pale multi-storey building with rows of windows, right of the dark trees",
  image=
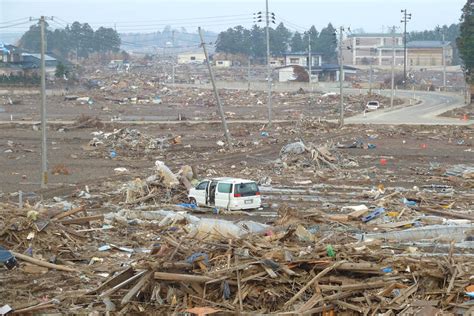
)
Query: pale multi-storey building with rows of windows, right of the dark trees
[{"x": 373, "y": 48}]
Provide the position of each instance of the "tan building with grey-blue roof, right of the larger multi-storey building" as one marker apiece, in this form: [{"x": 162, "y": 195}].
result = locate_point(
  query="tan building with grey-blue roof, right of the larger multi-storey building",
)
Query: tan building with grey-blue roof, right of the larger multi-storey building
[{"x": 429, "y": 53}]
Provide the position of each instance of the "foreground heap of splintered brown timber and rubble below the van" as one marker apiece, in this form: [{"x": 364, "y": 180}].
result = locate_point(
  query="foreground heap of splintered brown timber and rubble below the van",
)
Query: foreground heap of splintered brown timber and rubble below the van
[{"x": 302, "y": 263}]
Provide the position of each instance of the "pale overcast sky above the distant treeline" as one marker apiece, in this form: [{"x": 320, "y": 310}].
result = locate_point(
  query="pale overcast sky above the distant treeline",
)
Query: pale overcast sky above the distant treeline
[{"x": 152, "y": 15}]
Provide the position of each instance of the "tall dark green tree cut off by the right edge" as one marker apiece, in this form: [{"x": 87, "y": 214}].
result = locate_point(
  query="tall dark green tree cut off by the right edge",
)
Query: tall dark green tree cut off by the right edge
[{"x": 465, "y": 40}]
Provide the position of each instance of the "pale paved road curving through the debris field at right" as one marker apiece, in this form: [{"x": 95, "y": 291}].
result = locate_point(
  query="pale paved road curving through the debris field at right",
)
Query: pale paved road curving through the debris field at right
[{"x": 426, "y": 113}]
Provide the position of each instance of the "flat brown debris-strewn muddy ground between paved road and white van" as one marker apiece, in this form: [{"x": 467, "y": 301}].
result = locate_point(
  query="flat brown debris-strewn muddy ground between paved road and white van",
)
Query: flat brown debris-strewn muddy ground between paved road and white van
[{"x": 414, "y": 156}]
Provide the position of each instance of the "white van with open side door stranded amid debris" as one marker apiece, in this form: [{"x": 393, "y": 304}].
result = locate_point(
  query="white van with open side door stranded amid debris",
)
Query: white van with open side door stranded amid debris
[{"x": 228, "y": 193}]
